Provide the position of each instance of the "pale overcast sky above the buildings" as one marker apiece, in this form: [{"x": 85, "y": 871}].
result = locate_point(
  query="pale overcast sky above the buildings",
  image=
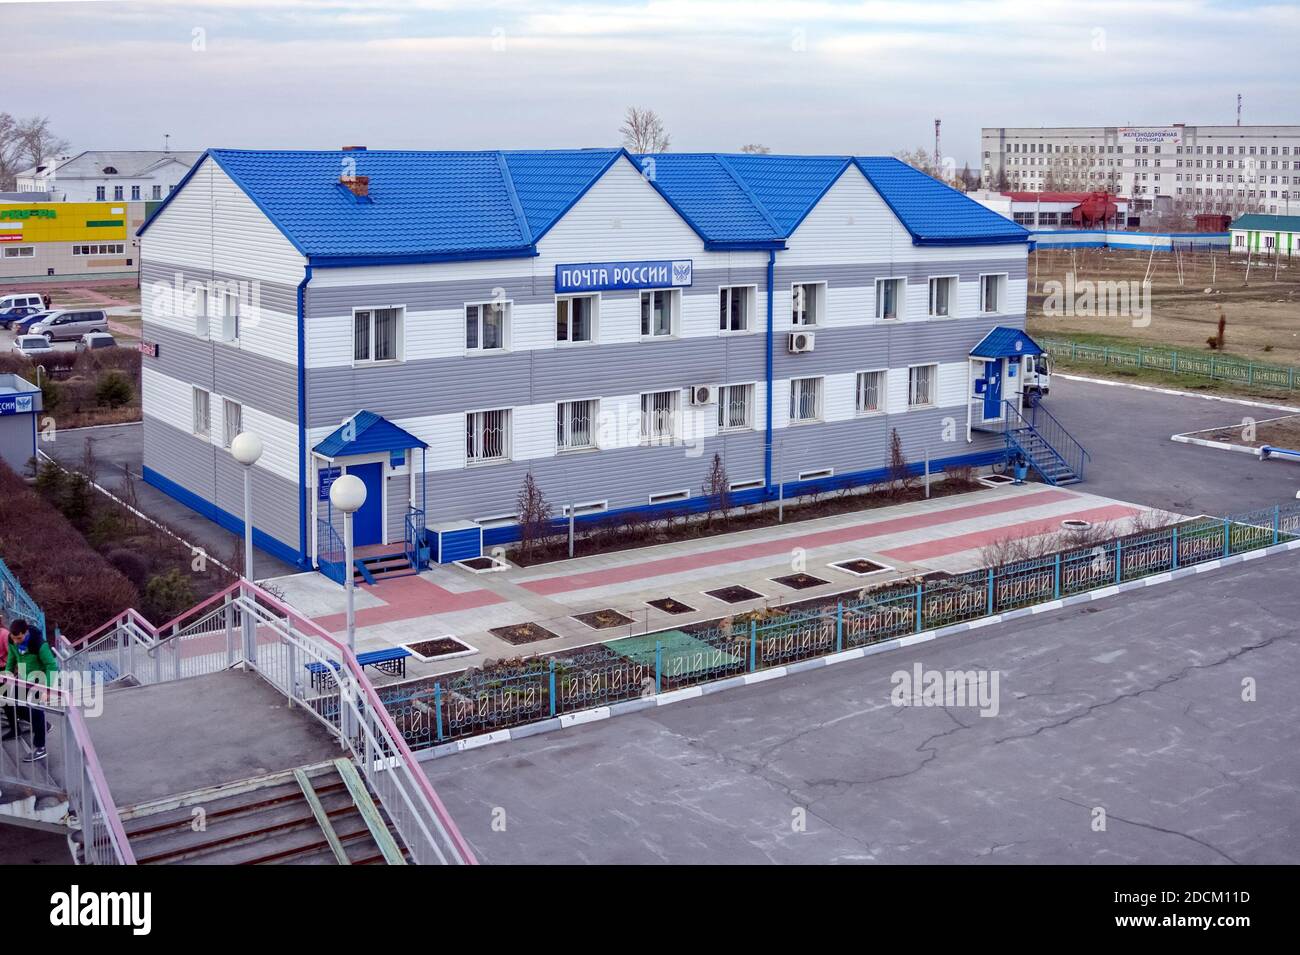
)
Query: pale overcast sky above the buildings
[{"x": 799, "y": 77}]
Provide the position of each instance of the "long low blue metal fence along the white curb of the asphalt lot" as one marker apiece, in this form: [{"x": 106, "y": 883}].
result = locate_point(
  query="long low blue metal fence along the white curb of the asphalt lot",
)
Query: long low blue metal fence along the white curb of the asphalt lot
[{"x": 436, "y": 710}]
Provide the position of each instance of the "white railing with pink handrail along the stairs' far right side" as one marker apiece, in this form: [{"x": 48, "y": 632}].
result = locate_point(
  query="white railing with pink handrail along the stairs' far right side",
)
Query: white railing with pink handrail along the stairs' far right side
[{"x": 245, "y": 626}]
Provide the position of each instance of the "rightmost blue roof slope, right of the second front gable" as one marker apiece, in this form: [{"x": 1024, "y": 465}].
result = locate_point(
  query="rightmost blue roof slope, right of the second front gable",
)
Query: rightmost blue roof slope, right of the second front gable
[{"x": 934, "y": 214}]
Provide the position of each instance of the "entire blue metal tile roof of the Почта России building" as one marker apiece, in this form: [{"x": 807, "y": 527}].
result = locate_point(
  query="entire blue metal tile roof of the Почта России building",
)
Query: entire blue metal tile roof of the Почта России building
[{"x": 497, "y": 205}]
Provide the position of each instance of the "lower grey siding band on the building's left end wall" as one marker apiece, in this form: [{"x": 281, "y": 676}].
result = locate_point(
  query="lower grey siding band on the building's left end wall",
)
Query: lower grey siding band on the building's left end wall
[{"x": 213, "y": 474}]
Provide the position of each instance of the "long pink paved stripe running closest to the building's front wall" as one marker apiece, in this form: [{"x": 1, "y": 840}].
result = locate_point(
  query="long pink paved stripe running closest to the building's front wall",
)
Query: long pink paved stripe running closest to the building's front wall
[{"x": 765, "y": 549}]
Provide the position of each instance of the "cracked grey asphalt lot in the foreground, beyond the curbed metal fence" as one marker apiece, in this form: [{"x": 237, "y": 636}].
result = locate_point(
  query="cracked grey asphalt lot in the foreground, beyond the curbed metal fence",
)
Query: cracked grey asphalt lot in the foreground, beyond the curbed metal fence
[{"x": 1130, "y": 706}]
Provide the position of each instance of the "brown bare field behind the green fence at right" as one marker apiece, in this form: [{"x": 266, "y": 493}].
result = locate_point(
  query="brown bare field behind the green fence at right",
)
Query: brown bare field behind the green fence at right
[{"x": 1263, "y": 316}]
